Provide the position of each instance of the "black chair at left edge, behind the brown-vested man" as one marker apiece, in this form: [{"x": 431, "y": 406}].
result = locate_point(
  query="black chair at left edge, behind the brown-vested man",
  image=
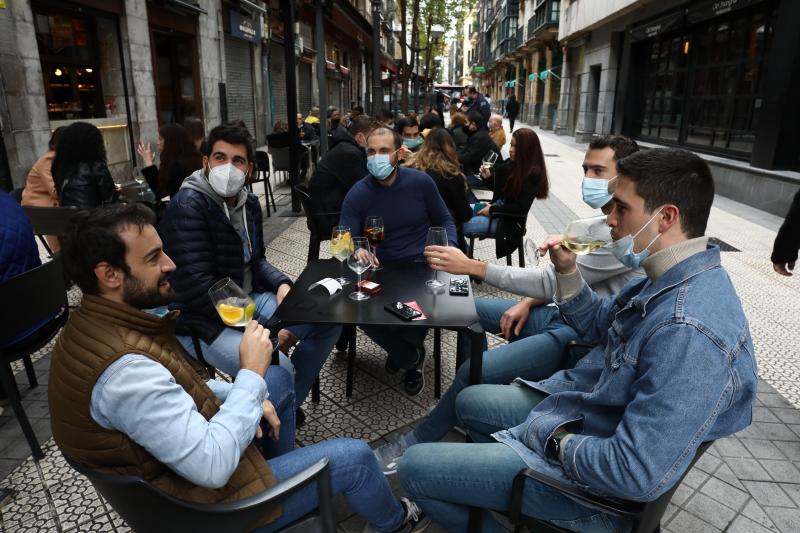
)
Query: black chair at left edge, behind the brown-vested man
[{"x": 39, "y": 300}]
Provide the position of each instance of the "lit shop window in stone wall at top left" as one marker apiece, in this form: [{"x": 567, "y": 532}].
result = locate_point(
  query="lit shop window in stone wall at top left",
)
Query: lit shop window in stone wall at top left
[{"x": 68, "y": 49}]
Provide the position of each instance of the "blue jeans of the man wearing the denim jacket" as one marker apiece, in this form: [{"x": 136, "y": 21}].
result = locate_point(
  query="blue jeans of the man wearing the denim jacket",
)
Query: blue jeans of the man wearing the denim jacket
[{"x": 445, "y": 479}]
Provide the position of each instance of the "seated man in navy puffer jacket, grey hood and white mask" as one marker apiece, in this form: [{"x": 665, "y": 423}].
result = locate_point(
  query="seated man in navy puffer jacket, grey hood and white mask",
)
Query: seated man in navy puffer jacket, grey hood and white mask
[{"x": 212, "y": 229}]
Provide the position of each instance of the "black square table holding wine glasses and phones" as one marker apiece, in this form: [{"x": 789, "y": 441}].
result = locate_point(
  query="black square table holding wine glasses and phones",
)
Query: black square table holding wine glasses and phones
[{"x": 401, "y": 282}]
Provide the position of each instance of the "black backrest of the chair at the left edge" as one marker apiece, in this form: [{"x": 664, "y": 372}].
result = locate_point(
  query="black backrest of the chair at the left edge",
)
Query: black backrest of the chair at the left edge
[{"x": 37, "y": 294}]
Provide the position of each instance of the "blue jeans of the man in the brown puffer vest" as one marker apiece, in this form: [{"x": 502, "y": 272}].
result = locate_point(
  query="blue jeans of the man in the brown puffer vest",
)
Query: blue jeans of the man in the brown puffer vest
[{"x": 354, "y": 473}]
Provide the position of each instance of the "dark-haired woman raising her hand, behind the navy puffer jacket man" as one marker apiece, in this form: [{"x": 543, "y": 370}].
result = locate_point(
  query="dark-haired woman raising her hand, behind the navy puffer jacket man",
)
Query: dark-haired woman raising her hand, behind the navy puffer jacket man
[{"x": 179, "y": 158}]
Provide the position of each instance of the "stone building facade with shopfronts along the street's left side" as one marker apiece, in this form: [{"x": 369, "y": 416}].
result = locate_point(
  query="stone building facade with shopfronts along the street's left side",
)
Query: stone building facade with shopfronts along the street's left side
[{"x": 131, "y": 66}]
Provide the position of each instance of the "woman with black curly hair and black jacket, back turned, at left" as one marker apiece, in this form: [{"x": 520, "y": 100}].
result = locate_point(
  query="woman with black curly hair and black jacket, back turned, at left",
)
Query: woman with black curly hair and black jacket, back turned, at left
[{"x": 80, "y": 172}]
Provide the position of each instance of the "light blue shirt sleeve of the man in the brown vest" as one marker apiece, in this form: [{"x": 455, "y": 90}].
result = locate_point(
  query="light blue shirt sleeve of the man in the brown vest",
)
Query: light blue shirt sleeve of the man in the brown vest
[{"x": 139, "y": 397}]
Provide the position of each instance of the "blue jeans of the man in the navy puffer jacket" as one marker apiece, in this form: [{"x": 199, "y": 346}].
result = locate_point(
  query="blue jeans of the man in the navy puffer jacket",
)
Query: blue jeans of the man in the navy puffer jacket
[{"x": 316, "y": 343}]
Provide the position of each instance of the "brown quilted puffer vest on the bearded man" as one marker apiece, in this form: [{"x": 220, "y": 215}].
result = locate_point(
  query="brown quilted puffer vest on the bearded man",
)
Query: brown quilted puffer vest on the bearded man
[{"x": 95, "y": 336}]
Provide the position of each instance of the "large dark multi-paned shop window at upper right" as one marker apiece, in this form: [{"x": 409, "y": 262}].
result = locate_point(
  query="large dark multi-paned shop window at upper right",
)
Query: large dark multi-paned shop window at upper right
[{"x": 715, "y": 71}]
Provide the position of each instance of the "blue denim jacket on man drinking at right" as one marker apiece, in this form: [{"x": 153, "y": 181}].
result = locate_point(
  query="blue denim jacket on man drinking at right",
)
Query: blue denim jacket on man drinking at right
[{"x": 674, "y": 366}]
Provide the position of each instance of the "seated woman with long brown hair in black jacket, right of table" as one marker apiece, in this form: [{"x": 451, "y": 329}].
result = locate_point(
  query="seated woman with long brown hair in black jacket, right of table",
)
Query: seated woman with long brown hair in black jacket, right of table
[{"x": 518, "y": 181}]
